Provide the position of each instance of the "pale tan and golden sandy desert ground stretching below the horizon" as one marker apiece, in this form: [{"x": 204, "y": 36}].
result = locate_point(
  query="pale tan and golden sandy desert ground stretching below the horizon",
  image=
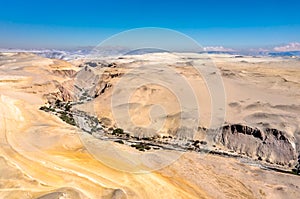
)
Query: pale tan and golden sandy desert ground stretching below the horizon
[{"x": 255, "y": 150}]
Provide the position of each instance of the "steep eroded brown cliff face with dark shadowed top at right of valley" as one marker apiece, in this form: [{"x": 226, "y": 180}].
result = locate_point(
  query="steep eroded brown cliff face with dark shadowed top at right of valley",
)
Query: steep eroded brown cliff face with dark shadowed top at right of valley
[{"x": 270, "y": 145}]
